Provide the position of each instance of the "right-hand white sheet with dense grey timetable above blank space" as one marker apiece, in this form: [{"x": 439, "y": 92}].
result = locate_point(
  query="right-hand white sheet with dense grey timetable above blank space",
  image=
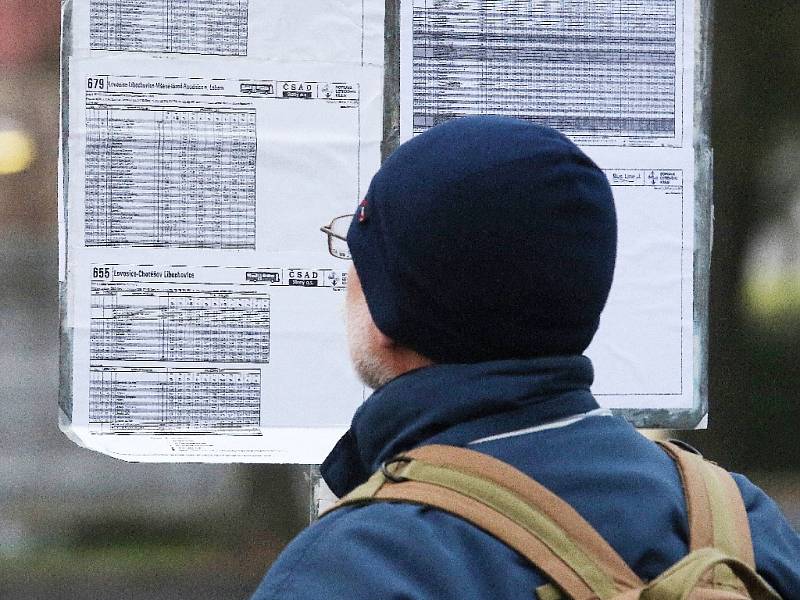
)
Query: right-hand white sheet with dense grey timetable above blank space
[{"x": 618, "y": 78}]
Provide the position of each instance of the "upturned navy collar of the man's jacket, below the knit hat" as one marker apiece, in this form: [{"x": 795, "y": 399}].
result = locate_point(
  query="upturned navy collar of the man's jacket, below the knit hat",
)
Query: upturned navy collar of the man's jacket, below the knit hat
[{"x": 455, "y": 404}]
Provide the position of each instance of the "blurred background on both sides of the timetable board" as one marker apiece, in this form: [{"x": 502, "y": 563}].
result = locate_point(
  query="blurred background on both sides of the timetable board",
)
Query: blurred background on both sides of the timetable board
[{"x": 74, "y": 524}]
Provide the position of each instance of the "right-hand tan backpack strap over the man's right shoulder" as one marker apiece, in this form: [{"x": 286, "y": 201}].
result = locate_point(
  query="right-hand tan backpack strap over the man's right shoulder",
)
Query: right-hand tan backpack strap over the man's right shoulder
[{"x": 716, "y": 512}]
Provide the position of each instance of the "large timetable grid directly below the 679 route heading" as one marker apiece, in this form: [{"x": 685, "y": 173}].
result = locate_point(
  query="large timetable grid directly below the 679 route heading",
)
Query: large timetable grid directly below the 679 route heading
[{"x": 162, "y": 177}]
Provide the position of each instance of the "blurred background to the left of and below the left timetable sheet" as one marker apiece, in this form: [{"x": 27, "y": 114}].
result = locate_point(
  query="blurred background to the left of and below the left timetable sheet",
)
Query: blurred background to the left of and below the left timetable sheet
[{"x": 75, "y": 524}]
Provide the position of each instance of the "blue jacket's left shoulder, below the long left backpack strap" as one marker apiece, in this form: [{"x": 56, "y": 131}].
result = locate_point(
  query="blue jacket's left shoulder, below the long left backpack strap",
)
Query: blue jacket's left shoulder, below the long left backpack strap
[{"x": 396, "y": 550}]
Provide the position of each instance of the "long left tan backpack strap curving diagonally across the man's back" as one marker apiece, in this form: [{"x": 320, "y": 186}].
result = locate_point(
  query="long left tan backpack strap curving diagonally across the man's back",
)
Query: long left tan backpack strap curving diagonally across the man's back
[{"x": 512, "y": 507}]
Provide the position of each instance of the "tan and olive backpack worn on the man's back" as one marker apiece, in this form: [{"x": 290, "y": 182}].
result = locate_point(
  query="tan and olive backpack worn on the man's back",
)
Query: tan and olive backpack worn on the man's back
[{"x": 549, "y": 533}]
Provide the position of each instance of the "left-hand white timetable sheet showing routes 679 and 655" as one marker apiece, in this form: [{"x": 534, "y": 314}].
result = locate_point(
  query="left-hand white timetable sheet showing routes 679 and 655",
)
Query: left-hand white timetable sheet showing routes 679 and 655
[{"x": 204, "y": 146}]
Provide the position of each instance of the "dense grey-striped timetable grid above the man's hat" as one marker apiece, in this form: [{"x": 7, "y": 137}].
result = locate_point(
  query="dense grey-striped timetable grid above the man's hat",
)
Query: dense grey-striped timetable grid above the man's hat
[{"x": 606, "y": 68}]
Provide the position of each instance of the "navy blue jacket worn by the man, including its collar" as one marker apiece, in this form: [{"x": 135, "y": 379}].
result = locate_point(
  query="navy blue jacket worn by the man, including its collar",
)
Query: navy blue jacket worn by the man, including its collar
[{"x": 619, "y": 481}]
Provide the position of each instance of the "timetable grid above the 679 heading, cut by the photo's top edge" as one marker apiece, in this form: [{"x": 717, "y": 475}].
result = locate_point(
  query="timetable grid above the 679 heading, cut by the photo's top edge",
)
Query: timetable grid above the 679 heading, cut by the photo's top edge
[{"x": 213, "y": 27}]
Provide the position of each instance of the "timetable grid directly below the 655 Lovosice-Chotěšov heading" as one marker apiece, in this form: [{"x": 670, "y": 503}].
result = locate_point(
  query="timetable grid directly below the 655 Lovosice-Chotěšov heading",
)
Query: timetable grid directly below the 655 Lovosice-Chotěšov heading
[{"x": 179, "y": 326}]
